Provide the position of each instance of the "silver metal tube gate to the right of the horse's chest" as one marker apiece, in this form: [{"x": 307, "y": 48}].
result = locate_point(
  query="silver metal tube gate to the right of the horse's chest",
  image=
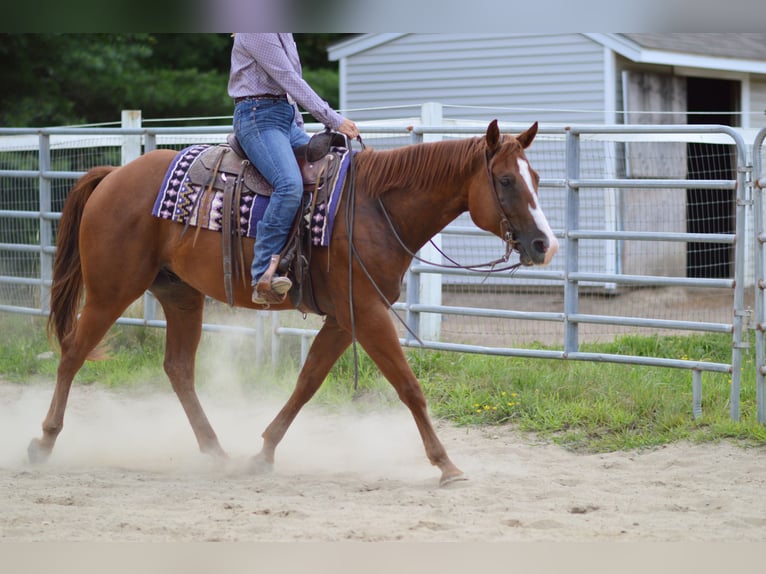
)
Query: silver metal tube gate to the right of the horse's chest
[{"x": 573, "y": 277}]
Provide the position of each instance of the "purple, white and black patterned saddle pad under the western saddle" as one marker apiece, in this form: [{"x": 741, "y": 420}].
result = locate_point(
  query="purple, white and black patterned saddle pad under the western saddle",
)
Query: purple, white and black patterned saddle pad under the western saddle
[{"x": 186, "y": 200}]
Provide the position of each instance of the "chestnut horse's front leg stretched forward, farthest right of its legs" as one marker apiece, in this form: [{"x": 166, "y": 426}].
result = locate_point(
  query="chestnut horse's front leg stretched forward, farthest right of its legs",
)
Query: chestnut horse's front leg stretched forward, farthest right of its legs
[{"x": 377, "y": 335}]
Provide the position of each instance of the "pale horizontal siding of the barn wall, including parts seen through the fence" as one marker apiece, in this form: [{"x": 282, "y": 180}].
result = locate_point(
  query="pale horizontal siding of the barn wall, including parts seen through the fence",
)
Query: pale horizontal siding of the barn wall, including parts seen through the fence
[{"x": 550, "y": 78}]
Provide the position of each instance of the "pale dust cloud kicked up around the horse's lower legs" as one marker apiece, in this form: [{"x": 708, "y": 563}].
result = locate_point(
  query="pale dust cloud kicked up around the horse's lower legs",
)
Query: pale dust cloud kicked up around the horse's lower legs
[{"x": 144, "y": 427}]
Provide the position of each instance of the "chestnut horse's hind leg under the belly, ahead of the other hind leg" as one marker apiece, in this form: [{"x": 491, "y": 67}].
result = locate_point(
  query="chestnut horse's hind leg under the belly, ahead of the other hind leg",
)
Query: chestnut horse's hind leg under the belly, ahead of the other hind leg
[{"x": 183, "y": 307}]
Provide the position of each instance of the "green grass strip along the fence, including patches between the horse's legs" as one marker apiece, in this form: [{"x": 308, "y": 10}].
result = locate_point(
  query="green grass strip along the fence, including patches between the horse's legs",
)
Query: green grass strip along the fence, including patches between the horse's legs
[{"x": 590, "y": 407}]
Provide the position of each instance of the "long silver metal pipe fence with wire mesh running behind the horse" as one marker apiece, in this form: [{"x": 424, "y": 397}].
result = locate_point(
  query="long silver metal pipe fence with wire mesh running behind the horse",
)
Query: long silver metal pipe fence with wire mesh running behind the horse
[{"x": 611, "y": 276}]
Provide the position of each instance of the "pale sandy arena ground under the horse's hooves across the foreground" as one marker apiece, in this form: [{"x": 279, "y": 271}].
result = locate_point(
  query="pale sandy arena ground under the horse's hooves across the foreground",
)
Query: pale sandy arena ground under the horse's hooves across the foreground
[{"x": 126, "y": 469}]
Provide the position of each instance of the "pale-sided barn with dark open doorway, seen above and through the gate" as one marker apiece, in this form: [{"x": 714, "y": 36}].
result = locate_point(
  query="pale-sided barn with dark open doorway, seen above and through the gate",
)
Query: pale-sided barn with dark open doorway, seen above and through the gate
[{"x": 586, "y": 78}]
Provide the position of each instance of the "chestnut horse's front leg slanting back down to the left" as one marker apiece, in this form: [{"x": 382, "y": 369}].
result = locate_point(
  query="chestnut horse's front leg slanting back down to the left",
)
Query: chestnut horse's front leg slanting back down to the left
[{"x": 327, "y": 347}]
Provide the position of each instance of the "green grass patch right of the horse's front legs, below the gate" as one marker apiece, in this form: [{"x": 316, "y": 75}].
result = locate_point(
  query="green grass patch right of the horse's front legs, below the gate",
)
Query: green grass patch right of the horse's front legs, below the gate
[{"x": 597, "y": 407}]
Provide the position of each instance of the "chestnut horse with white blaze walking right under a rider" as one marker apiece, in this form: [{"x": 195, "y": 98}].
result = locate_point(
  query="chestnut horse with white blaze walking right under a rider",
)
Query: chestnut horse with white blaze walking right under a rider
[{"x": 110, "y": 250}]
